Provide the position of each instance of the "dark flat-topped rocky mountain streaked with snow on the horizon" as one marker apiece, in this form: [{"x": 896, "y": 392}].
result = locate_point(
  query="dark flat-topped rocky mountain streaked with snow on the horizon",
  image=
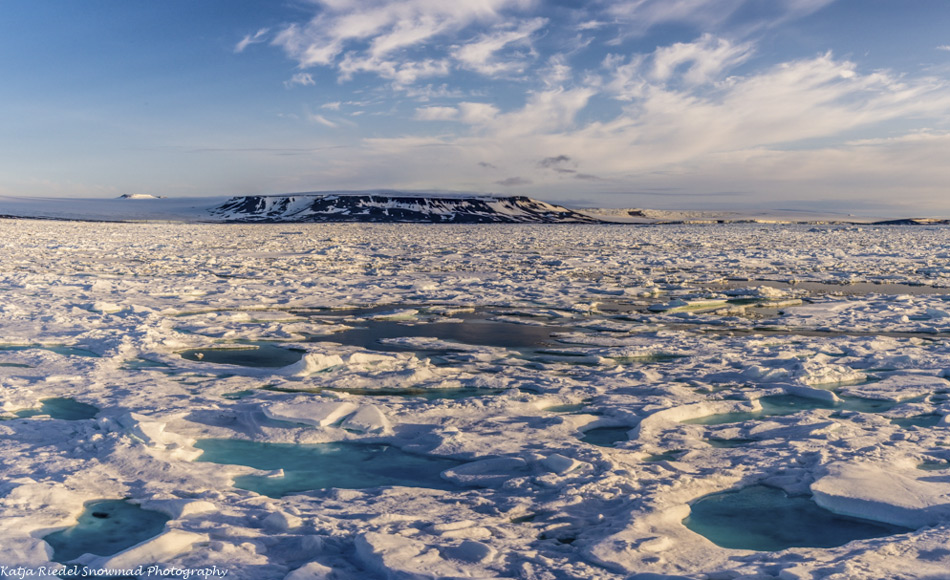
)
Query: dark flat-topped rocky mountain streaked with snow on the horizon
[{"x": 395, "y": 208}]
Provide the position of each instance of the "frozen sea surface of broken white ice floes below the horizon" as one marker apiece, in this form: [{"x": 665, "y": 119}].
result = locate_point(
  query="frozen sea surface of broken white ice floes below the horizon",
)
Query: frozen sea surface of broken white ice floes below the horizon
[{"x": 638, "y": 369}]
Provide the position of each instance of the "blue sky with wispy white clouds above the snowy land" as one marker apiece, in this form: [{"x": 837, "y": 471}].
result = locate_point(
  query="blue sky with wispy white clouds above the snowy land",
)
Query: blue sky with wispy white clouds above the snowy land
[{"x": 824, "y": 105}]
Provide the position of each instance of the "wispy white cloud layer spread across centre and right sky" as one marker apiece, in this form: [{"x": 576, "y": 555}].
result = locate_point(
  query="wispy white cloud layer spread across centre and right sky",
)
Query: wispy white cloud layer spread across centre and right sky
[{"x": 519, "y": 96}]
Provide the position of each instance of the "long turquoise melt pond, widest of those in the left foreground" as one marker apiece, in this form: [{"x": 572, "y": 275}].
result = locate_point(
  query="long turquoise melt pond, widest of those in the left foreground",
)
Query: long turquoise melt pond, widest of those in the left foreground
[{"x": 325, "y": 465}]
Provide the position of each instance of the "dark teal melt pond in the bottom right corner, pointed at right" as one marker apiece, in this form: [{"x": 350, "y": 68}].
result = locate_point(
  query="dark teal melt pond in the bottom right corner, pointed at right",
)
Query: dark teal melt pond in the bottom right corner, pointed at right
[{"x": 767, "y": 519}]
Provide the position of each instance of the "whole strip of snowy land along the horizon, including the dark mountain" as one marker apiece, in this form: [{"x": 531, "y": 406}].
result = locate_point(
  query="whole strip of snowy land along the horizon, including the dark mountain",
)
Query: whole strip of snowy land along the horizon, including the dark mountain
[{"x": 389, "y": 206}]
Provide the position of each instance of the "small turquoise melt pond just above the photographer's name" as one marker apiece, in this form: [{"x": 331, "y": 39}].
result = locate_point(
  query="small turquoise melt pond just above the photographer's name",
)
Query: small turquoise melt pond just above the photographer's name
[{"x": 105, "y": 528}]
